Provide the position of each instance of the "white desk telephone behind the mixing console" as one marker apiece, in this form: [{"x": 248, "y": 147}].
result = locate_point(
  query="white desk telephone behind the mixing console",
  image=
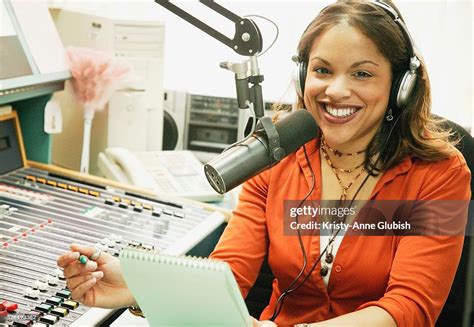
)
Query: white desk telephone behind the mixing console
[{"x": 177, "y": 173}]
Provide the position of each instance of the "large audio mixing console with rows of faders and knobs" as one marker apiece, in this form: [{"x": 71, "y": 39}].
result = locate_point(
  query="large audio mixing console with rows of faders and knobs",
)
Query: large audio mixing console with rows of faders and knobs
[{"x": 42, "y": 213}]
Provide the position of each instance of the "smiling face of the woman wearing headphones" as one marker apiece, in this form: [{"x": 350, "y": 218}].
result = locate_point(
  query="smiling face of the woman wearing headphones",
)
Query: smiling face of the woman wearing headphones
[{"x": 347, "y": 87}]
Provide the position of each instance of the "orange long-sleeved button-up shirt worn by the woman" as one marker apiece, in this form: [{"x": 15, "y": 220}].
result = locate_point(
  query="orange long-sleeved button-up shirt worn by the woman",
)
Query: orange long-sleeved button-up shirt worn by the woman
[{"x": 408, "y": 276}]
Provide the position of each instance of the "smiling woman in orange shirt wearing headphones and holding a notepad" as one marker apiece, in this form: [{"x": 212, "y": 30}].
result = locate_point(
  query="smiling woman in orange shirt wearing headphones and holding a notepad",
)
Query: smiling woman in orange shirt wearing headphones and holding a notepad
[{"x": 368, "y": 90}]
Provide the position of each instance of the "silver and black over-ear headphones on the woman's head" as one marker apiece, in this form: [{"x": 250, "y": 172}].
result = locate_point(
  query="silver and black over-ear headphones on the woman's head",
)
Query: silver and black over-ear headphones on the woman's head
[{"x": 403, "y": 85}]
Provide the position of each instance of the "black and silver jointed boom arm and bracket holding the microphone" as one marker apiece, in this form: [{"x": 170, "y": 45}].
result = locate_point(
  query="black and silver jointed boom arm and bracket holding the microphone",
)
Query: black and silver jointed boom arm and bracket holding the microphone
[{"x": 247, "y": 41}]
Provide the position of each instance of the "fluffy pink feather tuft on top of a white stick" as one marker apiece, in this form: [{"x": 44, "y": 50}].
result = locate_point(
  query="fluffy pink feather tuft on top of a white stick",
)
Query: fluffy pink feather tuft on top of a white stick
[{"x": 95, "y": 75}]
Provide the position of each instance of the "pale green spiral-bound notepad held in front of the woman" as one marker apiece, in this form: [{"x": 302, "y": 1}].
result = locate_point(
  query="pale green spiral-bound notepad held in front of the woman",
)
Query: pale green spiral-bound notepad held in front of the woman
[{"x": 184, "y": 291}]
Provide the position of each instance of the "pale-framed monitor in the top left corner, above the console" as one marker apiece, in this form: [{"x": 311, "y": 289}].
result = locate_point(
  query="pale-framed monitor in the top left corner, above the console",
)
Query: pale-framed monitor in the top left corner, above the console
[{"x": 32, "y": 55}]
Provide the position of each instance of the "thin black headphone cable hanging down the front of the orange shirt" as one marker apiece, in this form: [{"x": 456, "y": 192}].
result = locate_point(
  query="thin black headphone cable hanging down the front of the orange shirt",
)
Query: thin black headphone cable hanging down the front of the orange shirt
[{"x": 289, "y": 289}]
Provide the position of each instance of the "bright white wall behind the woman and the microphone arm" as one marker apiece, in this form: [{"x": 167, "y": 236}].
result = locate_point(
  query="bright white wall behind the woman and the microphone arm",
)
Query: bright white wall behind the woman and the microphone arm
[{"x": 442, "y": 30}]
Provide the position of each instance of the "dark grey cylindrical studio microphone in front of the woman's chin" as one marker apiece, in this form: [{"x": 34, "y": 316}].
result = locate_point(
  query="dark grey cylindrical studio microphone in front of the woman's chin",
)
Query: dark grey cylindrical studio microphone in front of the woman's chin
[{"x": 242, "y": 162}]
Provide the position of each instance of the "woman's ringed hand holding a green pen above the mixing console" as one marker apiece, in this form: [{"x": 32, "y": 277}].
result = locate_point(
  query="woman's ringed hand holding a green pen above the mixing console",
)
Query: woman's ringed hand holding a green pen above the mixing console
[{"x": 97, "y": 283}]
